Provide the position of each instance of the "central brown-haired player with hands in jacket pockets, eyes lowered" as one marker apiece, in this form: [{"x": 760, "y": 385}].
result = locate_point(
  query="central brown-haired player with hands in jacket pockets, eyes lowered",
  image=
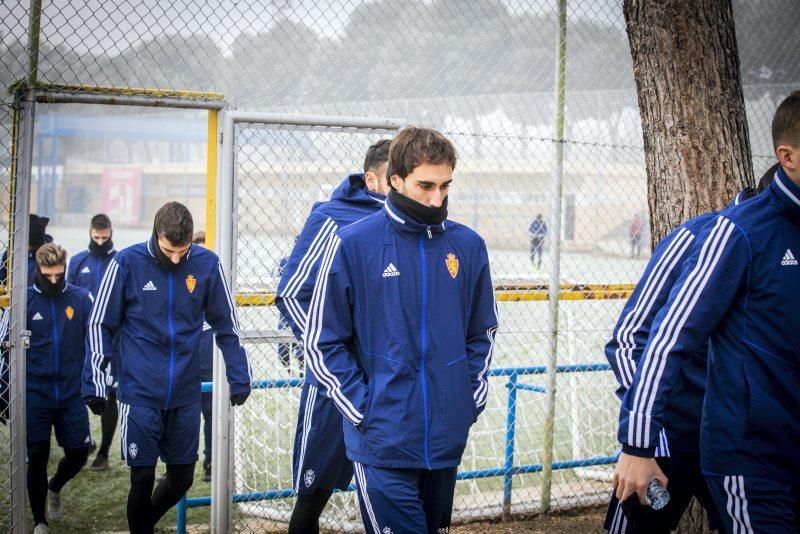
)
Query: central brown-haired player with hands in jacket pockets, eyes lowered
[{"x": 400, "y": 335}]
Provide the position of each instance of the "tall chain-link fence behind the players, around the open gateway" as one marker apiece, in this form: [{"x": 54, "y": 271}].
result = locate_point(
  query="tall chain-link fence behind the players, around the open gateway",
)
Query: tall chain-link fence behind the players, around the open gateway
[{"x": 485, "y": 73}]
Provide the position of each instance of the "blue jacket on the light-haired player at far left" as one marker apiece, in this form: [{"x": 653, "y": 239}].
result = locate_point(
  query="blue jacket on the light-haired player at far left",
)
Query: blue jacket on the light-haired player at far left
[{"x": 54, "y": 362}]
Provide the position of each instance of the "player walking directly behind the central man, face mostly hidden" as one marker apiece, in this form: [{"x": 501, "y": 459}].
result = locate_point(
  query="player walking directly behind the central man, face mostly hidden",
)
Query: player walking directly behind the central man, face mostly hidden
[{"x": 319, "y": 462}]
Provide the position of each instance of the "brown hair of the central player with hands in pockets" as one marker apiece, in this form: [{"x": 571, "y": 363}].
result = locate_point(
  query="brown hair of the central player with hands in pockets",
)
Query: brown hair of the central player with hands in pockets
[{"x": 414, "y": 146}]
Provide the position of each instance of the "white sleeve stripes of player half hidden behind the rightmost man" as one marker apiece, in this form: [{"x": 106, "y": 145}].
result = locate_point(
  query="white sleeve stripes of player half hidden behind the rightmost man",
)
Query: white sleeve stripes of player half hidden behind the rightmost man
[{"x": 653, "y": 286}]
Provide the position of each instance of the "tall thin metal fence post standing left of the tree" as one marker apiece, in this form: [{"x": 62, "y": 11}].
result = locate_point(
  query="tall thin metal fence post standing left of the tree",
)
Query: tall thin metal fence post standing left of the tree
[{"x": 555, "y": 257}]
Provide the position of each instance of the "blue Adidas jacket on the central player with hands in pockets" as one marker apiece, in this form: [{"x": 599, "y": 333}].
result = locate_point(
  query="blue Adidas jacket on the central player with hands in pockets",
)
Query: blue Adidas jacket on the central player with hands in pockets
[{"x": 401, "y": 331}]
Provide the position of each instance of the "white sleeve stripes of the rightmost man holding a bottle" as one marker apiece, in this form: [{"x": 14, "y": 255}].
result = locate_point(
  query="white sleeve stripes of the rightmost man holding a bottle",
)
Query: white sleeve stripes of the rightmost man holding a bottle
[{"x": 666, "y": 337}]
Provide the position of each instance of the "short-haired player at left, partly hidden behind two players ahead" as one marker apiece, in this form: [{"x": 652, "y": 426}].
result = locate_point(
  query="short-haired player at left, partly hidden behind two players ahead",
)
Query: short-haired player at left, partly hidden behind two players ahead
[{"x": 86, "y": 269}]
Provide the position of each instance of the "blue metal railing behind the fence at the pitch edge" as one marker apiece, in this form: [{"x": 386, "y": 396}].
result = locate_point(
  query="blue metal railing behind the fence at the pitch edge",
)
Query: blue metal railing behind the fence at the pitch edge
[{"x": 507, "y": 471}]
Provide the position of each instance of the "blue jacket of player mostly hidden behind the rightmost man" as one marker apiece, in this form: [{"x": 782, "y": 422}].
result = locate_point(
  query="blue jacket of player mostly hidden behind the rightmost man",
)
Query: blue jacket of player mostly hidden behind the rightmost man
[{"x": 632, "y": 330}]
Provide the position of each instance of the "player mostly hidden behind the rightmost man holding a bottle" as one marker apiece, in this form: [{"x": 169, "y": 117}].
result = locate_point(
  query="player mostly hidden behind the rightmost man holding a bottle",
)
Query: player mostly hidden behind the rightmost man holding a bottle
[{"x": 678, "y": 457}]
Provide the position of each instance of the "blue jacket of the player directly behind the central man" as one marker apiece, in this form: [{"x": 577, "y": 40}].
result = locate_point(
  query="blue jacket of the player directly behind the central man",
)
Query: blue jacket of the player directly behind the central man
[{"x": 349, "y": 202}]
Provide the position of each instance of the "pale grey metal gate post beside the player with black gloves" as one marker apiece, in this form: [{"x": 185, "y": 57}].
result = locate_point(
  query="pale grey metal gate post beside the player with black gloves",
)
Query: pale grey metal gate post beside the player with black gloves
[{"x": 222, "y": 421}]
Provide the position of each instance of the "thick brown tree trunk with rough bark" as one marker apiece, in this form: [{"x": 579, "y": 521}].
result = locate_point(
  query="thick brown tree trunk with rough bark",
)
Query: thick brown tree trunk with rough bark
[{"x": 686, "y": 67}]
